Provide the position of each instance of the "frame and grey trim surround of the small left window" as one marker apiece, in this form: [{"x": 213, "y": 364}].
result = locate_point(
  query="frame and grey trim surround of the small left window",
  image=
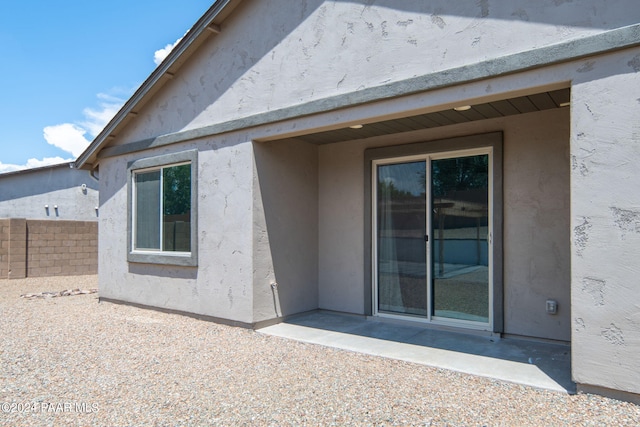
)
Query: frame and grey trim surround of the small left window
[{"x": 160, "y": 256}]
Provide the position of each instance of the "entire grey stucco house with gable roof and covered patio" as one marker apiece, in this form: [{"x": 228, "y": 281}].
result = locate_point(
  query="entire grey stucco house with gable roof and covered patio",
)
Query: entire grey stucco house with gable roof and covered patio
[{"x": 468, "y": 165}]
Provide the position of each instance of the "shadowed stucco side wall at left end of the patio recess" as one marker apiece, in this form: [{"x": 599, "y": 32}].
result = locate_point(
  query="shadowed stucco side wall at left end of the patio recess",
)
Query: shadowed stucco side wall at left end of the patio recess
[{"x": 288, "y": 178}]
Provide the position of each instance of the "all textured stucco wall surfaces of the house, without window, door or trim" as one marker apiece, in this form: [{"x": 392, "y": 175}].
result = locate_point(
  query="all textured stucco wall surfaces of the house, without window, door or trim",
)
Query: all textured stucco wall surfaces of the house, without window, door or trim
[{"x": 571, "y": 209}]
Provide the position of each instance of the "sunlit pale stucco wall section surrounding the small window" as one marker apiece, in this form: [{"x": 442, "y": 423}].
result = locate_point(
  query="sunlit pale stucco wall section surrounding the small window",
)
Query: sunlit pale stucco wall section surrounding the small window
[{"x": 221, "y": 284}]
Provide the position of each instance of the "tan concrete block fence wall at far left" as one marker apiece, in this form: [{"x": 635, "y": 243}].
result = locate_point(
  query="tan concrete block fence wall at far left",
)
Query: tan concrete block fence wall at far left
[{"x": 40, "y": 248}]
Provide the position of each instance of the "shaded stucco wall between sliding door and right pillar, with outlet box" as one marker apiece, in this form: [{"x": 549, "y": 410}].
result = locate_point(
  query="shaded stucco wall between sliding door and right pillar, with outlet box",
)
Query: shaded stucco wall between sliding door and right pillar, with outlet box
[{"x": 536, "y": 225}]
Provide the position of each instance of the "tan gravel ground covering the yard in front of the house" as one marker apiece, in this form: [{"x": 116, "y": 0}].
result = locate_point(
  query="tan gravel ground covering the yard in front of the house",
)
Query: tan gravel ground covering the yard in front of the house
[{"x": 71, "y": 361}]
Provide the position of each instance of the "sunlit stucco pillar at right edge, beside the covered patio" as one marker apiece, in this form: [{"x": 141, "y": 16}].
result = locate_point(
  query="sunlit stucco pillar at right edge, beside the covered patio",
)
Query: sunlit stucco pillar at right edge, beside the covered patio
[{"x": 605, "y": 222}]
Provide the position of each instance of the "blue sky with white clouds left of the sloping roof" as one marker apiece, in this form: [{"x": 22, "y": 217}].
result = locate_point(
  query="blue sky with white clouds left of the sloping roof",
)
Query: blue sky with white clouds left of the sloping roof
[{"x": 66, "y": 66}]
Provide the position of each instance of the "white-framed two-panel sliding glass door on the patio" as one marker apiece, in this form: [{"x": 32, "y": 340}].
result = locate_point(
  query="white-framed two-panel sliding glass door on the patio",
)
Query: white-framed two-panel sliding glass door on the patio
[{"x": 432, "y": 237}]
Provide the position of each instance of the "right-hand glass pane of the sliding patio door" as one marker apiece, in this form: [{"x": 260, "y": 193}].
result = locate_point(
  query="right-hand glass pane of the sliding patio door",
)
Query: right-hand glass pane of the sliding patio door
[{"x": 459, "y": 229}]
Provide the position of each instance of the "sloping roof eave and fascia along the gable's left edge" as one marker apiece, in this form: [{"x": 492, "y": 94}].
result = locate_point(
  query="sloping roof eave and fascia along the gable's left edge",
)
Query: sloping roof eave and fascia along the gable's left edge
[{"x": 203, "y": 28}]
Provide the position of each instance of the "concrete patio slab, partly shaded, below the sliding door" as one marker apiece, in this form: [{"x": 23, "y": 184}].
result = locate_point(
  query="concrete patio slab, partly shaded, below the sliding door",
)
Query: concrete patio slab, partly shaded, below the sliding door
[{"x": 536, "y": 364}]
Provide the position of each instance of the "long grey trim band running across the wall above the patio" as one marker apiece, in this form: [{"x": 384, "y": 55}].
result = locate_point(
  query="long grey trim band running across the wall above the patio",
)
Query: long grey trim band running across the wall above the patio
[{"x": 601, "y": 43}]
